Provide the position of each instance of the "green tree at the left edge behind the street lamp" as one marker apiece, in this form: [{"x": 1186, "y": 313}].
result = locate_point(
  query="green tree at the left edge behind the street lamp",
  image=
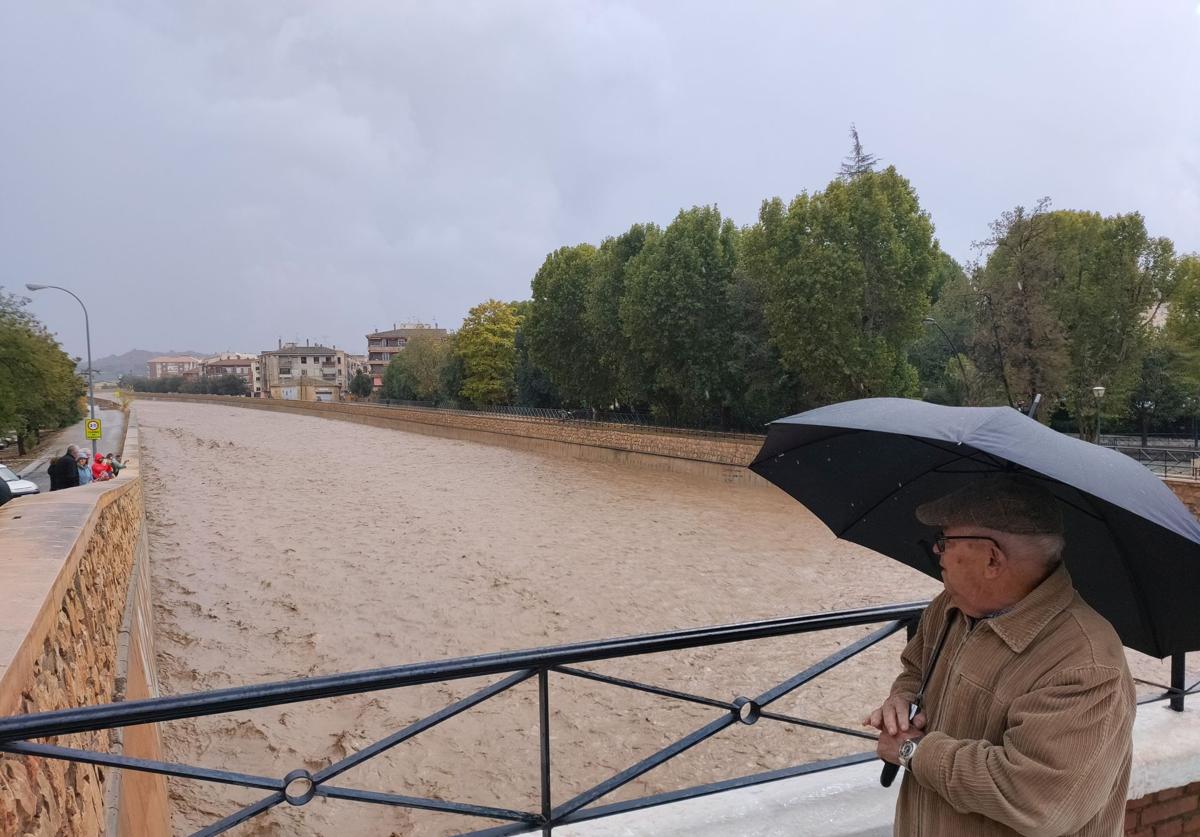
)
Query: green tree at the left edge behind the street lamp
[{"x": 39, "y": 386}]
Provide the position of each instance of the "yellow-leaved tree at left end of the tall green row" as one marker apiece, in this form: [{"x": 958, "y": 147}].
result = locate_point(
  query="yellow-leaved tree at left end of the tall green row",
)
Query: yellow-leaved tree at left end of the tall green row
[{"x": 487, "y": 344}]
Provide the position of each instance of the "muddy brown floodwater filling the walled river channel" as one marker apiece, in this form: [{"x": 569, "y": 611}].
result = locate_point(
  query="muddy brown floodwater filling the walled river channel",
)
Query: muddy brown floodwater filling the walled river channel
[{"x": 290, "y": 546}]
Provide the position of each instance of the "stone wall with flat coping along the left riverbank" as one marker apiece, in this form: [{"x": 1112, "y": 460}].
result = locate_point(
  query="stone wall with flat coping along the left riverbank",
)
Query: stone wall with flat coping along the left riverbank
[{"x": 70, "y": 609}]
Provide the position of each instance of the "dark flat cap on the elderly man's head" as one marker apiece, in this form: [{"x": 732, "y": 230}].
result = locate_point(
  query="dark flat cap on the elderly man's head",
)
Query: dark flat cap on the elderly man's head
[{"x": 1006, "y": 503}]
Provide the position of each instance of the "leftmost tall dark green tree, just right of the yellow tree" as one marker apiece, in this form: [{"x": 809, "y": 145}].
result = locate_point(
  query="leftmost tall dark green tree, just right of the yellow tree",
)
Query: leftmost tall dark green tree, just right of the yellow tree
[{"x": 555, "y": 327}]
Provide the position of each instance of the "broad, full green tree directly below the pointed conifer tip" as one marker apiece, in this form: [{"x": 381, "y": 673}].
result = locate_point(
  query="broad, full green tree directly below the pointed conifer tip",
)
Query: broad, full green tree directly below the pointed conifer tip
[{"x": 845, "y": 278}]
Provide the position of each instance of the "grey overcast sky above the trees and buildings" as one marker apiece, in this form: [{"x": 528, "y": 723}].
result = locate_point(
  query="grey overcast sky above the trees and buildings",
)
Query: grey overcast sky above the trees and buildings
[{"x": 217, "y": 176}]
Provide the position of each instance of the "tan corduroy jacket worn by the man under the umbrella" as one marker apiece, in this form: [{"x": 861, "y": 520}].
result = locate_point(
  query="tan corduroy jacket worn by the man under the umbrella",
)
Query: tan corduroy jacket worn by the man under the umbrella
[{"x": 1029, "y": 721}]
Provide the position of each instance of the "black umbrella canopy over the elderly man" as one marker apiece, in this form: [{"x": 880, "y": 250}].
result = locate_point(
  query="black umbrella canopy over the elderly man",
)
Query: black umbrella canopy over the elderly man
[{"x": 863, "y": 467}]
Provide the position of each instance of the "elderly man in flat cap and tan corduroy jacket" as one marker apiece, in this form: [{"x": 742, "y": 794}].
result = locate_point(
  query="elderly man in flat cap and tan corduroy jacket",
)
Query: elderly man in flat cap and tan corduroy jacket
[{"x": 1028, "y": 710}]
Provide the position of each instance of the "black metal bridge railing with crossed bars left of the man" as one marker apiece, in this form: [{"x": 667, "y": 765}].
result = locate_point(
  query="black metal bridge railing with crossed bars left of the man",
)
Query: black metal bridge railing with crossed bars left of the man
[{"x": 302, "y": 786}]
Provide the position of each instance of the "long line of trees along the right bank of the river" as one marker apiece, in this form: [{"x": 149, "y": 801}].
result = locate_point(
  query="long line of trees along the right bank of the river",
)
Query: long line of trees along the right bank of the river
[{"x": 844, "y": 293}]
